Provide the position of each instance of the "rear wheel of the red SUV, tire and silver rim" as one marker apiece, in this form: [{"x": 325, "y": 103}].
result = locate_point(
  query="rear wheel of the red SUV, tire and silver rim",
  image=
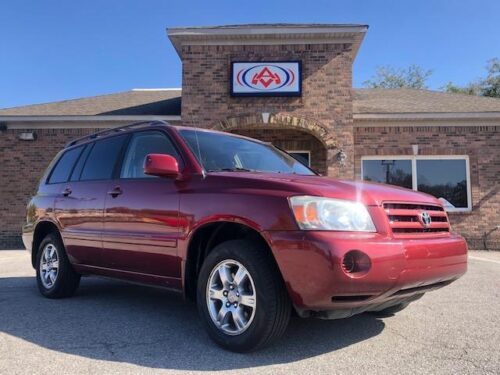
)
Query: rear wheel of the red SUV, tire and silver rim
[{"x": 55, "y": 276}]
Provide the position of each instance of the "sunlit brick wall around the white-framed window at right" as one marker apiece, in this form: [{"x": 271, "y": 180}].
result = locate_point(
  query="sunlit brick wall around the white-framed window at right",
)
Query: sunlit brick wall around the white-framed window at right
[{"x": 480, "y": 143}]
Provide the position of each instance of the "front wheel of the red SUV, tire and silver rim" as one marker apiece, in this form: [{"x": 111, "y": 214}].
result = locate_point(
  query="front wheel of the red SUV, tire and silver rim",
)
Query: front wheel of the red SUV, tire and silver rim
[{"x": 241, "y": 297}]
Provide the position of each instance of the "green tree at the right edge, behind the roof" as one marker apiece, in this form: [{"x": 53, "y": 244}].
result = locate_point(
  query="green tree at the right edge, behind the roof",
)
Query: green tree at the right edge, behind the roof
[{"x": 488, "y": 86}]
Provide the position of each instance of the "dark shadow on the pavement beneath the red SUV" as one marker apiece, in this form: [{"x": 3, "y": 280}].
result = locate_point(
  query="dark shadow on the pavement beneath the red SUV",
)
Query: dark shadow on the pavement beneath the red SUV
[{"x": 115, "y": 321}]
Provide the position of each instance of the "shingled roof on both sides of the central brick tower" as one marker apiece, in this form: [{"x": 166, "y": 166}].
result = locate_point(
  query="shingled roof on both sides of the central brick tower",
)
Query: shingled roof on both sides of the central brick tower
[{"x": 167, "y": 102}]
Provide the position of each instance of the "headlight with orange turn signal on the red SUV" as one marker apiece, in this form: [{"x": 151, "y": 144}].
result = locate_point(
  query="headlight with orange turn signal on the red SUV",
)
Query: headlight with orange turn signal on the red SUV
[{"x": 318, "y": 213}]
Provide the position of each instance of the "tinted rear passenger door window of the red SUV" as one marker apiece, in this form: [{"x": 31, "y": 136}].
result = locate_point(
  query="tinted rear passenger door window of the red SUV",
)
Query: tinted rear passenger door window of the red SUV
[{"x": 102, "y": 159}]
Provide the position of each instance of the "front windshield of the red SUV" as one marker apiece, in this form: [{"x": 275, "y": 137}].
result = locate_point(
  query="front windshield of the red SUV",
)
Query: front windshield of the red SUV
[{"x": 223, "y": 152}]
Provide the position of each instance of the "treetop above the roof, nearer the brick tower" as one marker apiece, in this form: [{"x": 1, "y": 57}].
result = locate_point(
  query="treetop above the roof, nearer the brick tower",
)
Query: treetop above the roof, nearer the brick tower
[{"x": 387, "y": 77}]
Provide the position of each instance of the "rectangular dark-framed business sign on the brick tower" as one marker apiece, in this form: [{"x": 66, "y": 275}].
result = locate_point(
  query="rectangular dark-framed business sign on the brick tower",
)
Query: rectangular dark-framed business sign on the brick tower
[{"x": 266, "y": 78}]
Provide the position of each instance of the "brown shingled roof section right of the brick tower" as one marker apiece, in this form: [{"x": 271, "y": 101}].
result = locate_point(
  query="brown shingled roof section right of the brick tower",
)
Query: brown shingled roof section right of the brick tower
[{"x": 419, "y": 101}]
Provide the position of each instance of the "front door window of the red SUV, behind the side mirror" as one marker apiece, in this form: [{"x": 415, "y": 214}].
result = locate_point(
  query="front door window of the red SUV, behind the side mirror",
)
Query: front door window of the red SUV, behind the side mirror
[{"x": 142, "y": 144}]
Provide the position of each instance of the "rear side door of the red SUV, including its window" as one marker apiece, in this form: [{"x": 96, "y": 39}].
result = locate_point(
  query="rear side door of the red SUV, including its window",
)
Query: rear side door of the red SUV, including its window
[{"x": 80, "y": 205}]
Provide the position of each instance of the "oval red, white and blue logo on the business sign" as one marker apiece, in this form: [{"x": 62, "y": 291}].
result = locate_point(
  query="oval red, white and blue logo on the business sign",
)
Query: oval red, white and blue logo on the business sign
[{"x": 265, "y": 77}]
